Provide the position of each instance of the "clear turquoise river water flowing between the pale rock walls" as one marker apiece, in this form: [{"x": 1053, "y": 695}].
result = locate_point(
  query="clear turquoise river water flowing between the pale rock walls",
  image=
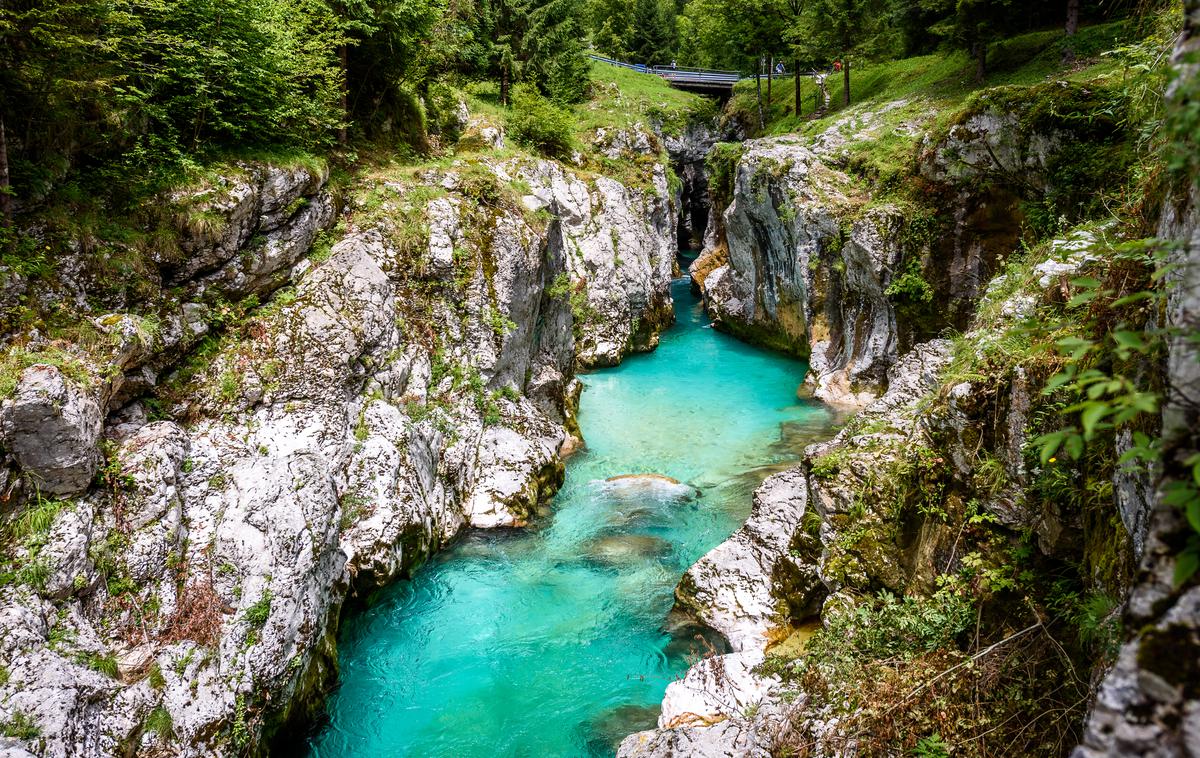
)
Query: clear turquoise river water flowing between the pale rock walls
[{"x": 553, "y": 641}]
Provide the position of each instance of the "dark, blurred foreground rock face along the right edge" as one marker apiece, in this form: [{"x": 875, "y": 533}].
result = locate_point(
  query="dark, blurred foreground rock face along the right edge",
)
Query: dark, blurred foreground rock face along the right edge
[{"x": 1150, "y": 702}]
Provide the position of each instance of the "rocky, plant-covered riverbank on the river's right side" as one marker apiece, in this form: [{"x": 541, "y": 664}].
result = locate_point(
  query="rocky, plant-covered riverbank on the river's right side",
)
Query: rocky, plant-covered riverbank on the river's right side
[{"x": 934, "y": 495}]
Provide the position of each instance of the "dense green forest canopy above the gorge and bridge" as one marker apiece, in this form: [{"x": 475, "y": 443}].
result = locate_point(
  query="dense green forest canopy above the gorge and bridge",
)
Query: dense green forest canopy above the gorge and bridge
[{"x": 129, "y": 92}]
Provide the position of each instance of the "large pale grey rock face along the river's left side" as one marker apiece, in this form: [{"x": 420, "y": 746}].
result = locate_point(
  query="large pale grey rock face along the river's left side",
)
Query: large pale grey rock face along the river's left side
[{"x": 399, "y": 393}]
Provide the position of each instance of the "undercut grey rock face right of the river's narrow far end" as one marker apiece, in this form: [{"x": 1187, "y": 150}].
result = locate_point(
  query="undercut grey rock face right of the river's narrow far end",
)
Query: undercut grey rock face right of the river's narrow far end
[{"x": 802, "y": 260}]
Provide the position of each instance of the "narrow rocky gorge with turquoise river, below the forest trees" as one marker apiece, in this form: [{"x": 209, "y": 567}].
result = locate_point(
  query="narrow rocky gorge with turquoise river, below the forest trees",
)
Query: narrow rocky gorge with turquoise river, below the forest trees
[{"x": 709, "y": 429}]
